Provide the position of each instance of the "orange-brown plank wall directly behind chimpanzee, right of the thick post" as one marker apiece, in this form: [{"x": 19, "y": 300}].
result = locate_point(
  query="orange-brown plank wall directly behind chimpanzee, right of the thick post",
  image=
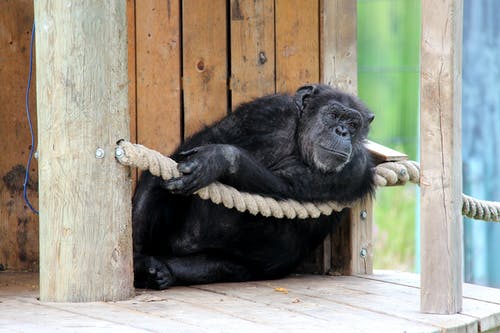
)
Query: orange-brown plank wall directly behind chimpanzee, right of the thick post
[{"x": 196, "y": 60}]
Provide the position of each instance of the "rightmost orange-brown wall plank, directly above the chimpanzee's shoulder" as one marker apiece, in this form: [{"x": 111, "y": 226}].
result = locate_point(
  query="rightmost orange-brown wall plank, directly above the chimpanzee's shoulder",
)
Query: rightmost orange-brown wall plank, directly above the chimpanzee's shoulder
[{"x": 297, "y": 44}]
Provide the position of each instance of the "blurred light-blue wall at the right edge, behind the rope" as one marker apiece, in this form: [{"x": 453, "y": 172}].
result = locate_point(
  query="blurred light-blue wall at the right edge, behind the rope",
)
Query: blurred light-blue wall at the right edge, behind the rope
[{"x": 481, "y": 135}]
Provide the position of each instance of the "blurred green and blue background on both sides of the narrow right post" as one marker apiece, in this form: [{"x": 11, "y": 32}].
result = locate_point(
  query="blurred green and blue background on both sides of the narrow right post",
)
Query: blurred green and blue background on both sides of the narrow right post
[{"x": 388, "y": 81}]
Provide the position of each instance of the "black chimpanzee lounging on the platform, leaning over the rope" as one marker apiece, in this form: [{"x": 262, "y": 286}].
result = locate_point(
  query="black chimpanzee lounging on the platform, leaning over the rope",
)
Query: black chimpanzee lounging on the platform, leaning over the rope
[{"x": 307, "y": 146}]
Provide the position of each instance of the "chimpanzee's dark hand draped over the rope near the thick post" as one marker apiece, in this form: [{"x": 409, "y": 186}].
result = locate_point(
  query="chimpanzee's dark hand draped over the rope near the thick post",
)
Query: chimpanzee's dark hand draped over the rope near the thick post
[{"x": 201, "y": 166}]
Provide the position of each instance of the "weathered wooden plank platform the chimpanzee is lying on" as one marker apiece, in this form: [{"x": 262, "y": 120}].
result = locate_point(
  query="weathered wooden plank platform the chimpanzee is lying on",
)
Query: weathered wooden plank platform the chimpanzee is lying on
[{"x": 384, "y": 302}]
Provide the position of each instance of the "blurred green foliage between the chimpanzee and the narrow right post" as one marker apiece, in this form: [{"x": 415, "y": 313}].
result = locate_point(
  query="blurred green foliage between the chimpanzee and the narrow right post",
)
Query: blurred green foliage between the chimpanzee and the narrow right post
[{"x": 388, "y": 81}]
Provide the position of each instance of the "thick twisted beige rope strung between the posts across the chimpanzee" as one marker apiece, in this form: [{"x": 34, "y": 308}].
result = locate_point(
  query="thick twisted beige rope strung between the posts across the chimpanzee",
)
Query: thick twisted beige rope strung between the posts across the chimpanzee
[{"x": 386, "y": 174}]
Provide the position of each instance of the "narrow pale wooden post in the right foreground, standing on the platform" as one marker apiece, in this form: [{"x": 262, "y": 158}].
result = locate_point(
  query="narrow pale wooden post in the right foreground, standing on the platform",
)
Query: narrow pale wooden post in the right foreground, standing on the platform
[{"x": 441, "y": 171}]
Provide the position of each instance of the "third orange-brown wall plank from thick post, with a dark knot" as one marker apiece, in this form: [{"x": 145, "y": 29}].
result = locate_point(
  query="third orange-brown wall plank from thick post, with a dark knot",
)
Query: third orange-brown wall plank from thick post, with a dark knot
[{"x": 252, "y": 49}]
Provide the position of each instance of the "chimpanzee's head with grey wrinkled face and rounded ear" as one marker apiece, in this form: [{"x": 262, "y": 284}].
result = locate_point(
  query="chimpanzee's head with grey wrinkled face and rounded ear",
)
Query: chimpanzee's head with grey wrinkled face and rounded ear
[{"x": 332, "y": 126}]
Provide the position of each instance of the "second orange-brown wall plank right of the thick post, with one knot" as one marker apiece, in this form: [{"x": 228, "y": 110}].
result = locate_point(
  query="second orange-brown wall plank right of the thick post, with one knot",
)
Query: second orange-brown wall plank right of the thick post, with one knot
[{"x": 205, "y": 68}]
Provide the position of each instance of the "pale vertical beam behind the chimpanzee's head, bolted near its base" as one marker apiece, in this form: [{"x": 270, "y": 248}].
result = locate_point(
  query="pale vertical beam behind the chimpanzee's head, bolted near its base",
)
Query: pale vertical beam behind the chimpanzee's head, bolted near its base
[{"x": 339, "y": 69}]
